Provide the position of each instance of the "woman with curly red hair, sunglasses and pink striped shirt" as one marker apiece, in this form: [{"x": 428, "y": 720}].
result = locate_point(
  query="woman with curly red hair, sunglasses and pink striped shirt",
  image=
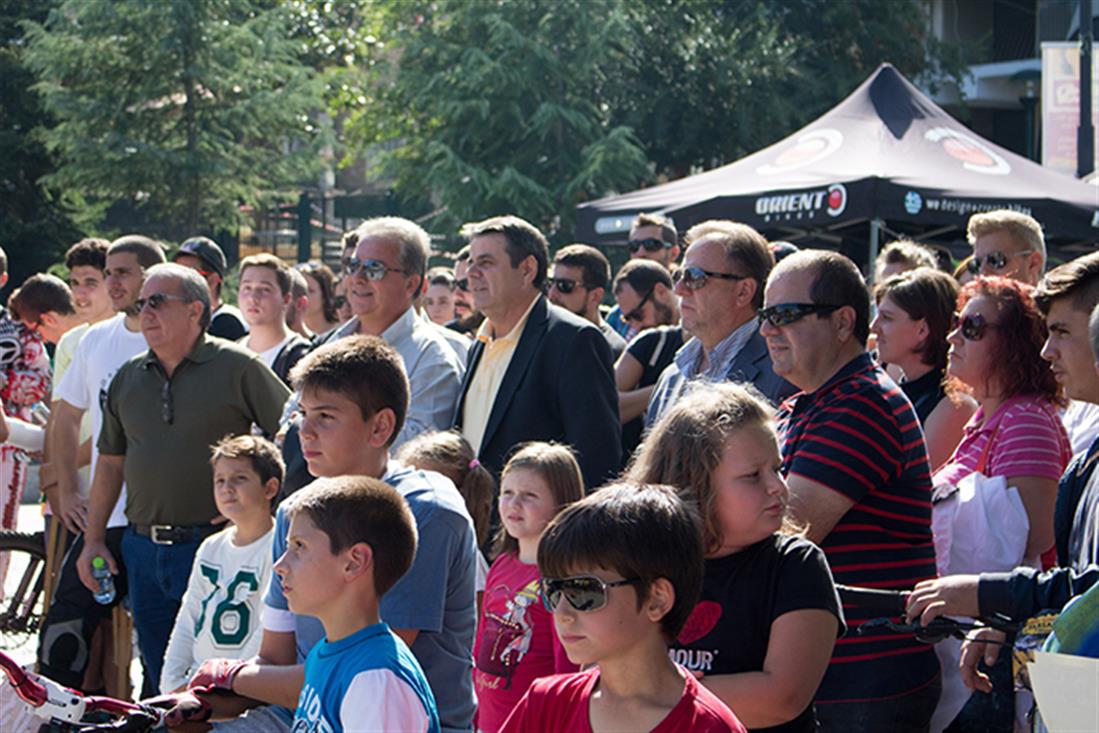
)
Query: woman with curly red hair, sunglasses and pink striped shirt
[{"x": 995, "y": 358}]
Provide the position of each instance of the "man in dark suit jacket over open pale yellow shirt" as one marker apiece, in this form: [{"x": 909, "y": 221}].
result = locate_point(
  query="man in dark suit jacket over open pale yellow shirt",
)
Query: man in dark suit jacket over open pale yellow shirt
[{"x": 536, "y": 372}]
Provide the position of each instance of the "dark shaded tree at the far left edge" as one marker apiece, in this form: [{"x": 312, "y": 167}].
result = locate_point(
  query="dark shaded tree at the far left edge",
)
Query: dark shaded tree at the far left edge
[{"x": 35, "y": 229}]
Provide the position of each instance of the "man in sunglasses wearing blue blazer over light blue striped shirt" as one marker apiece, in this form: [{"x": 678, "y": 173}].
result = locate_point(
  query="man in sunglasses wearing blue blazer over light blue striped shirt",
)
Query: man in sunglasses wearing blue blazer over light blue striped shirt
[{"x": 720, "y": 288}]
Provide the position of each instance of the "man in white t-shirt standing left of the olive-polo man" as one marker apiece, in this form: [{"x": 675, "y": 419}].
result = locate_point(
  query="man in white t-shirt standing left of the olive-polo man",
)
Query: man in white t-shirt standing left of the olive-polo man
[{"x": 74, "y": 614}]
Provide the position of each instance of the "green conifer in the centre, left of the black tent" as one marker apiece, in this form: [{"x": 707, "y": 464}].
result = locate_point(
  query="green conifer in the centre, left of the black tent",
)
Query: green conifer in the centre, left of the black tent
[{"x": 497, "y": 107}]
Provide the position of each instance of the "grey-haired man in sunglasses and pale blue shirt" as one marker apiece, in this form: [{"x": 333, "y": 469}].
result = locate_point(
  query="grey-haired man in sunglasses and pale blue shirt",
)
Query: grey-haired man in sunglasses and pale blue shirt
[{"x": 386, "y": 274}]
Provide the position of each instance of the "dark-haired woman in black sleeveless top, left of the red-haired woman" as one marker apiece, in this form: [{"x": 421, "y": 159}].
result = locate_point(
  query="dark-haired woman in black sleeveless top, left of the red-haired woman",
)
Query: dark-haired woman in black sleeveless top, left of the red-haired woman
[{"x": 916, "y": 310}]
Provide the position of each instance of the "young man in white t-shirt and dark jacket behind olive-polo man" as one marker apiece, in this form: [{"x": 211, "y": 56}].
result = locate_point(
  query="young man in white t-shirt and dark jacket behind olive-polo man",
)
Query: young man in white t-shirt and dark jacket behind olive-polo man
[{"x": 264, "y": 298}]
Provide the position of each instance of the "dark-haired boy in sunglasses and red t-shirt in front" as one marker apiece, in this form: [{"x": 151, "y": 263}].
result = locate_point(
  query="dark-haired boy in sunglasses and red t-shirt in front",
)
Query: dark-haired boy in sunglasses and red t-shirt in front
[{"x": 621, "y": 572}]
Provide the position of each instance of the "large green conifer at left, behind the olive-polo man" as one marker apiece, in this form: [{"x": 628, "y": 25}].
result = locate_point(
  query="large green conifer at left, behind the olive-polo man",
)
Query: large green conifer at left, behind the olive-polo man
[{"x": 183, "y": 112}]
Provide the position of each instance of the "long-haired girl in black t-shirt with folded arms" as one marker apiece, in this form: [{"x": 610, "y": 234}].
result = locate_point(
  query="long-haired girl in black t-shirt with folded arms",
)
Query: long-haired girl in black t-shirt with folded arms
[{"x": 762, "y": 636}]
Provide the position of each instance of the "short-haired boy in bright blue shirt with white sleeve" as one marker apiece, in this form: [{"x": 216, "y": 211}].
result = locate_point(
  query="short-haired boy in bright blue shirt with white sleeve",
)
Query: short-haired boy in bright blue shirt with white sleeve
[{"x": 350, "y": 540}]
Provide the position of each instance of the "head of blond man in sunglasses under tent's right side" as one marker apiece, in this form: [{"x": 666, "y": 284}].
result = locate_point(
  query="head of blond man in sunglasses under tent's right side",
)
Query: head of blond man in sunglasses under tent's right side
[{"x": 1007, "y": 243}]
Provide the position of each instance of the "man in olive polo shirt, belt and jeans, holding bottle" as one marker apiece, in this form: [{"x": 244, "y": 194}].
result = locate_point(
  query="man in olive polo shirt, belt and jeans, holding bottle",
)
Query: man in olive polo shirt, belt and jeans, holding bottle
[{"x": 164, "y": 410}]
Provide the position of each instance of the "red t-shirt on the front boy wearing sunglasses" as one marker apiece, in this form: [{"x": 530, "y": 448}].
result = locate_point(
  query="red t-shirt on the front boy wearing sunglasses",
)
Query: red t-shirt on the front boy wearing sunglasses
[{"x": 560, "y": 705}]
